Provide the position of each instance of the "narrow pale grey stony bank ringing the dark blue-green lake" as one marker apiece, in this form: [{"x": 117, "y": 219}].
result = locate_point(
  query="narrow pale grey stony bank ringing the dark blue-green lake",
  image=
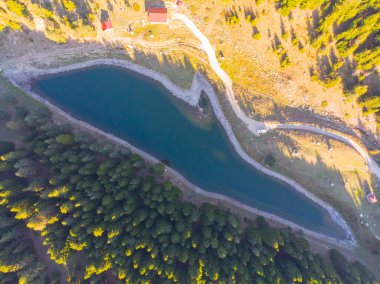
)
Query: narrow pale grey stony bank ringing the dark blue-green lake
[{"x": 22, "y": 78}]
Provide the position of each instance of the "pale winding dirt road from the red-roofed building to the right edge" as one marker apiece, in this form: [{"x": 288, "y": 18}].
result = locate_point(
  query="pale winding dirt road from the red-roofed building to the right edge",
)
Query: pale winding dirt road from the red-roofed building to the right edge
[{"x": 256, "y": 126}]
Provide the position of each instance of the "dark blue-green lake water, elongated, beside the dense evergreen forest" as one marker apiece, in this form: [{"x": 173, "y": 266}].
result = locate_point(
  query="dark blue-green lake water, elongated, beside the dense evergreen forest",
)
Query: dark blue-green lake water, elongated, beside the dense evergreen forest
[{"x": 142, "y": 112}]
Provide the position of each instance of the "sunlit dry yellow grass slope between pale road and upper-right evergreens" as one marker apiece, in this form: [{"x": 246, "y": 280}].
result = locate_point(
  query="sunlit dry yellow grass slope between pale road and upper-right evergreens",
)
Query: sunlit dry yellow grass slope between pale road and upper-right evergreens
[{"x": 255, "y": 68}]
